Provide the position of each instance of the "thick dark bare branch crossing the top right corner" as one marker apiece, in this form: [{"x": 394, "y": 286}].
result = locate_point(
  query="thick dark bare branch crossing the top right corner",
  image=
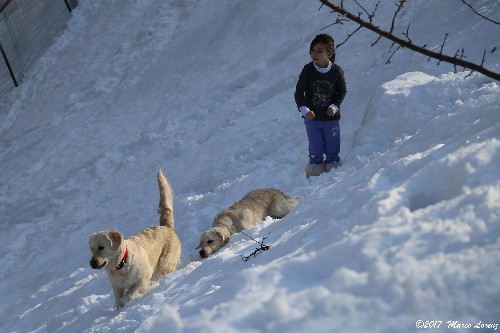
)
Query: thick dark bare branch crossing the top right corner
[{"x": 408, "y": 44}]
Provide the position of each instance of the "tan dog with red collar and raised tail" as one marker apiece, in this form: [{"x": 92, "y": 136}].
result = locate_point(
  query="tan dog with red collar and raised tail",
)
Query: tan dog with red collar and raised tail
[{"x": 133, "y": 262}]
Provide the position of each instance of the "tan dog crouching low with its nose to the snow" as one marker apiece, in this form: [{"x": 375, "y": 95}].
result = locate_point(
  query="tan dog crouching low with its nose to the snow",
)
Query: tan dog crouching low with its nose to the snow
[{"x": 252, "y": 208}]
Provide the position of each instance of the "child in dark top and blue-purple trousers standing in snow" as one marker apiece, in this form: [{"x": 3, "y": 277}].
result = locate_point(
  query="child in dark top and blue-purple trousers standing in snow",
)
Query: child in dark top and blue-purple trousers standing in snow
[{"x": 320, "y": 90}]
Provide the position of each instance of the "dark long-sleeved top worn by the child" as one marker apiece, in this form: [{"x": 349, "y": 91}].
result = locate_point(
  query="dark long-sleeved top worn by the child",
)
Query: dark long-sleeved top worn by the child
[{"x": 318, "y": 91}]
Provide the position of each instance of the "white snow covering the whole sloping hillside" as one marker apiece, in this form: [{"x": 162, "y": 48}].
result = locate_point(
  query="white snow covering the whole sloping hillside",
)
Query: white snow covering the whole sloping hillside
[{"x": 407, "y": 230}]
